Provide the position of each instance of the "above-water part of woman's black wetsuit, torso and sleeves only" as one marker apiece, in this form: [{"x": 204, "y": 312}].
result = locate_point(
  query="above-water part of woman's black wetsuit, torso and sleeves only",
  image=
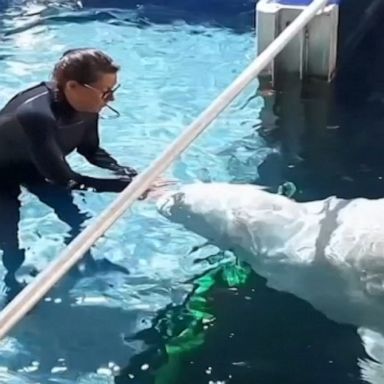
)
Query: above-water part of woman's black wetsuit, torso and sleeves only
[{"x": 37, "y": 131}]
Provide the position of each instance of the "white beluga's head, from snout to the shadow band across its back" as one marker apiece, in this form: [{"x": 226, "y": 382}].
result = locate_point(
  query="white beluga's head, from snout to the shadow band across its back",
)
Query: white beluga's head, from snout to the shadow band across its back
[{"x": 246, "y": 217}]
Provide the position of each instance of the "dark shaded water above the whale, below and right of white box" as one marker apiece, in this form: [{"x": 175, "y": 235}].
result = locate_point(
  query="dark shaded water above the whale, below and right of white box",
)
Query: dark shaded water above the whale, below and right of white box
[{"x": 331, "y": 137}]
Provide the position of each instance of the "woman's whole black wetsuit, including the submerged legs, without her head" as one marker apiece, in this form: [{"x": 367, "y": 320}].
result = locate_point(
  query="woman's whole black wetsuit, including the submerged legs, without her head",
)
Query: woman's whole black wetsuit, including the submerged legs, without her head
[{"x": 37, "y": 131}]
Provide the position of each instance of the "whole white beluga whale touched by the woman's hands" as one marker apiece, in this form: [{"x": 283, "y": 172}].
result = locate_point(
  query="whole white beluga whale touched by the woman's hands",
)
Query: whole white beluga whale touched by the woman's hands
[{"x": 328, "y": 252}]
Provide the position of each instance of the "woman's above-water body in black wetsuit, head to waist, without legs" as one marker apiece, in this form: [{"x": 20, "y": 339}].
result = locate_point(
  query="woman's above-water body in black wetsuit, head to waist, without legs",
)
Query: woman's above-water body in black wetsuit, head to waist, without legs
[{"x": 41, "y": 125}]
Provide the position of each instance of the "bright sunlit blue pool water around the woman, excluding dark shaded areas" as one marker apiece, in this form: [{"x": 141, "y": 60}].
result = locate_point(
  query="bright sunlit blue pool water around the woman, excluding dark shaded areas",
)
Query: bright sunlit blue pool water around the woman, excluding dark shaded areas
[{"x": 169, "y": 74}]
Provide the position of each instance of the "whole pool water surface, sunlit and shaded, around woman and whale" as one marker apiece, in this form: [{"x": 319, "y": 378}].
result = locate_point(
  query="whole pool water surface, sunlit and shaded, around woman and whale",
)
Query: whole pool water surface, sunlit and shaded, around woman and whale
[{"x": 145, "y": 312}]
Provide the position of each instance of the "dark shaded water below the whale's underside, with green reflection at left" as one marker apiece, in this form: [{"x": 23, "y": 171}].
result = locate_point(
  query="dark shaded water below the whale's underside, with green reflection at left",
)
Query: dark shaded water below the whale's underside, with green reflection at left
[{"x": 258, "y": 335}]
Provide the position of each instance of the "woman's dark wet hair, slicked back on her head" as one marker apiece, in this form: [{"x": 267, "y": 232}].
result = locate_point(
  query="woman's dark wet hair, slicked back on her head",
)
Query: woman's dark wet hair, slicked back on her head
[{"x": 84, "y": 65}]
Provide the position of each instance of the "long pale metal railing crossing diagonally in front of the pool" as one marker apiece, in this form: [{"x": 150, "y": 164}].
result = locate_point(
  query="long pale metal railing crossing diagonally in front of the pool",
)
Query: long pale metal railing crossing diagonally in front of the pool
[{"x": 56, "y": 269}]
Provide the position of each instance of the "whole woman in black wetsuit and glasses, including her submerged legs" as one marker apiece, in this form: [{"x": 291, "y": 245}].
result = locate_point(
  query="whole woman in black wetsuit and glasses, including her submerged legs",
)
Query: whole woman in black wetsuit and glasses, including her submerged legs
[{"x": 39, "y": 127}]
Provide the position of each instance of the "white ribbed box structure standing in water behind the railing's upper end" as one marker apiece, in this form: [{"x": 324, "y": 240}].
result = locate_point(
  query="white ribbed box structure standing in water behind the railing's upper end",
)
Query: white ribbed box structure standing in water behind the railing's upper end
[{"x": 313, "y": 52}]
